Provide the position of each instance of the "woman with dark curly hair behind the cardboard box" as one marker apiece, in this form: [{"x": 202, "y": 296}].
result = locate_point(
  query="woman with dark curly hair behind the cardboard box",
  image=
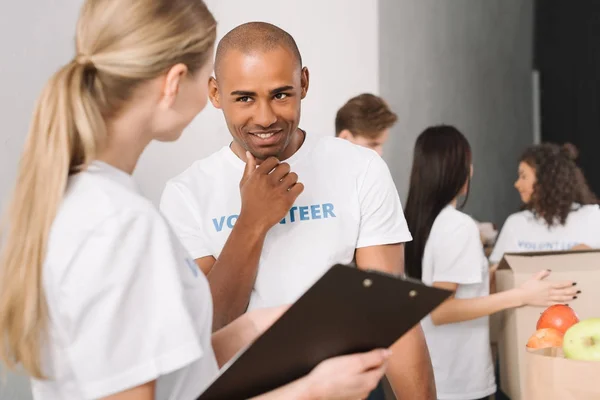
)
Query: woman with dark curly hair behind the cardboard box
[{"x": 560, "y": 211}]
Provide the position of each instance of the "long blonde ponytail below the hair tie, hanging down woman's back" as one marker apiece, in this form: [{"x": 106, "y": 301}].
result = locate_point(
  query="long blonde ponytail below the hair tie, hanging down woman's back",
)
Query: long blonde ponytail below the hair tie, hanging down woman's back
[{"x": 66, "y": 126}]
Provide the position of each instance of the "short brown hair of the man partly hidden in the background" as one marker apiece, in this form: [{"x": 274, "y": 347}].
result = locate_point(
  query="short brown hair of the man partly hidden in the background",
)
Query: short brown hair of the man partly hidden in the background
[{"x": 365, "y": 115}]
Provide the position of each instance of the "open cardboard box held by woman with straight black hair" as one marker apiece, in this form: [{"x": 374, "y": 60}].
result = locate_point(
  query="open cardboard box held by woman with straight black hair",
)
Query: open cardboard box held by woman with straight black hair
[{"x": 517, "y": 325}]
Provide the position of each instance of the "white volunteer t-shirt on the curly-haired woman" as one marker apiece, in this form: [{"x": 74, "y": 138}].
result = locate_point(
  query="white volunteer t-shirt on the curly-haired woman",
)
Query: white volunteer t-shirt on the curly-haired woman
[{"x": 524, "y": 232}]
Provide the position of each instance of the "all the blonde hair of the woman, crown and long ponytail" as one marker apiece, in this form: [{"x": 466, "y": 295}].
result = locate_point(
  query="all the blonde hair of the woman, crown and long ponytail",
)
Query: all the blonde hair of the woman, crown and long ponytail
[{"x": 120, "y": 44}]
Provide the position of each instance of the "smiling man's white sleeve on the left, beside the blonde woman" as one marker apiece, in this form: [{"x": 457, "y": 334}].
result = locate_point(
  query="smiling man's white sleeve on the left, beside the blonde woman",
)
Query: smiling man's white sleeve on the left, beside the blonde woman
[{"x": 179, "y": 210}]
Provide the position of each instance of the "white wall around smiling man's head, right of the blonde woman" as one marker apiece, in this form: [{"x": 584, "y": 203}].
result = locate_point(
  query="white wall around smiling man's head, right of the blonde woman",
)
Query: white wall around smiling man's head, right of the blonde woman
[{"x": 341, "y": 53}]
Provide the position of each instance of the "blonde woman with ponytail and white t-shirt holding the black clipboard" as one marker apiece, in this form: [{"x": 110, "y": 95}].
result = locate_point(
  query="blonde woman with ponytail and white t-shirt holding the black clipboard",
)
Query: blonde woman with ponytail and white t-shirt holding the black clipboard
[{"x": 97, "y": 297}]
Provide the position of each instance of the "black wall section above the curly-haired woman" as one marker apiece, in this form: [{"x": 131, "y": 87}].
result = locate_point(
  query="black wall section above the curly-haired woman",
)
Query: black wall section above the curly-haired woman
[{"x": 568, "y": 61}]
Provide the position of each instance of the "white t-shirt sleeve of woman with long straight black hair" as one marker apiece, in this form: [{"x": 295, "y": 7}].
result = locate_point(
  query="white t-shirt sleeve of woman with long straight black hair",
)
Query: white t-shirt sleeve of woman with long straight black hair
[{"x": 458, "y": 255}]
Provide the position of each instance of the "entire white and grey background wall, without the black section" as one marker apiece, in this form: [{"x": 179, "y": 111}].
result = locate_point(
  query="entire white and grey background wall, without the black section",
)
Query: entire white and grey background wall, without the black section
[{"x": 462, "y": 62}]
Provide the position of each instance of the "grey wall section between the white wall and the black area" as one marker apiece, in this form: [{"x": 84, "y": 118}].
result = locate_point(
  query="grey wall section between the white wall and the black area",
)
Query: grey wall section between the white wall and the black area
[{"x": 465, "y": 63}]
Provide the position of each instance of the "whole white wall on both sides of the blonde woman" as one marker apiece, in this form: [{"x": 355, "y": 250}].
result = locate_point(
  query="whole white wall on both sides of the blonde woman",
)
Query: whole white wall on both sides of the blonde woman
[{"x": 36, "y": 37}]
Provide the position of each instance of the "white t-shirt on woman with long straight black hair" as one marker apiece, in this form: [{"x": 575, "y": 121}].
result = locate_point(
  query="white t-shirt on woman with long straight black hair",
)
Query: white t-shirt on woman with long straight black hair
[{"x": 460, "y": 352}]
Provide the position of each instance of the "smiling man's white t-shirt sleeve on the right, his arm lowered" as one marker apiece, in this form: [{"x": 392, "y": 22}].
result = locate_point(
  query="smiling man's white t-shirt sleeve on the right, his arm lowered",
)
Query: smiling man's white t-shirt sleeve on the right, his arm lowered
[{"x": 382, "y": 219}]
